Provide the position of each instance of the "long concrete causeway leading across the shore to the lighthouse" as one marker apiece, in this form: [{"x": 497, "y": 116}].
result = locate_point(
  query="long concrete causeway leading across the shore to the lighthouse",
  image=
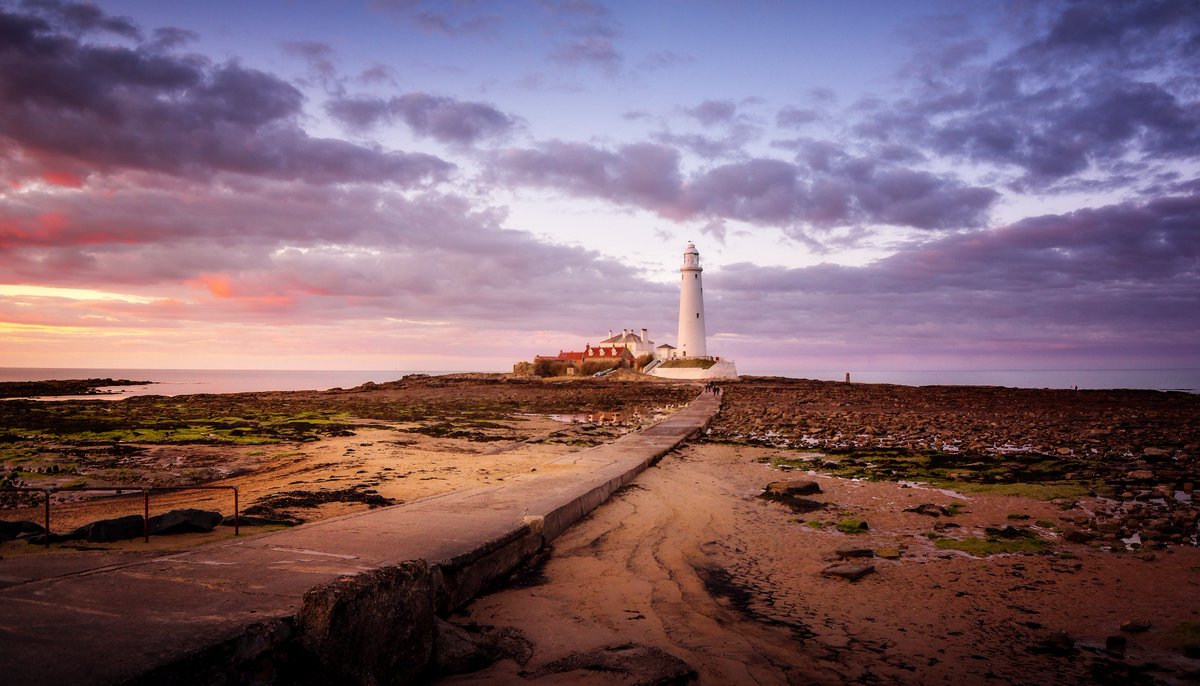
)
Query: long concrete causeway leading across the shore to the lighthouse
[{"x": 207, "y": 615}]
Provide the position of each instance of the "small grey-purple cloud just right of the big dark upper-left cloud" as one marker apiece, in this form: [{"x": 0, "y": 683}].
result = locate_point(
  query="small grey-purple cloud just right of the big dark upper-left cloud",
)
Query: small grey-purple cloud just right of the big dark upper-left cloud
[{"x": 442, "y": 119}]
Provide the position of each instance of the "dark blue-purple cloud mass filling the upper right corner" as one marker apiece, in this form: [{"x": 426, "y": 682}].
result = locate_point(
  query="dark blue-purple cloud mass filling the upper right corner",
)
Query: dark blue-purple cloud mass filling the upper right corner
[{"x": 1102, "y": 83}]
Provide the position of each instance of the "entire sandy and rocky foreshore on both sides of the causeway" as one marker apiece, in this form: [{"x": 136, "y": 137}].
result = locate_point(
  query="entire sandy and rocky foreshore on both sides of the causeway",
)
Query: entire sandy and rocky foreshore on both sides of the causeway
[{"x": 821, "y": 533}]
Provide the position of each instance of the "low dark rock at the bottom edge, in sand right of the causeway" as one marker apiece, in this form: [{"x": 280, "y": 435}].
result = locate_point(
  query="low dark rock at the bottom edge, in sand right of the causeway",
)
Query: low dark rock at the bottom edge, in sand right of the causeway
[{"x": 632, "y": 664}]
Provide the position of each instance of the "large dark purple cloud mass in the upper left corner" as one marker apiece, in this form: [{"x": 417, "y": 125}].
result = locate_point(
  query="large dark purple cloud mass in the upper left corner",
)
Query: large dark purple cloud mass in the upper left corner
[{"x": 105, "y": 109}]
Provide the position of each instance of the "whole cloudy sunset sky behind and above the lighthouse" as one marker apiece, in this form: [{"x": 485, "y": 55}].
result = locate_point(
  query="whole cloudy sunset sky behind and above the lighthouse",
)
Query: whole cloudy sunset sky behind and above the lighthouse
[{"x": 461, "y": 185}]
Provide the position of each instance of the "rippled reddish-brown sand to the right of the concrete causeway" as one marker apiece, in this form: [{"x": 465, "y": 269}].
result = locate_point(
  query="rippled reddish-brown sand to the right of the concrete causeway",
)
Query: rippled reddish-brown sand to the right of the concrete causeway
[{"x": 692, "y": 562}]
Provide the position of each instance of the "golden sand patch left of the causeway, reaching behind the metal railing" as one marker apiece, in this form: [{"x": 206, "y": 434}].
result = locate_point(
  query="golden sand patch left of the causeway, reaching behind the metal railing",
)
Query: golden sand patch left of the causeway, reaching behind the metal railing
[{"x": 398, "y": 465}]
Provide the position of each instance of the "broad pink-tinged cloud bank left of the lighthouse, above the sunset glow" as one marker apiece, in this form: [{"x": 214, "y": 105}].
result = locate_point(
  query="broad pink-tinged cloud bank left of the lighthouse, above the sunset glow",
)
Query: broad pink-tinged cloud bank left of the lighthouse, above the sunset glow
[{"x": 275, "y": 254}]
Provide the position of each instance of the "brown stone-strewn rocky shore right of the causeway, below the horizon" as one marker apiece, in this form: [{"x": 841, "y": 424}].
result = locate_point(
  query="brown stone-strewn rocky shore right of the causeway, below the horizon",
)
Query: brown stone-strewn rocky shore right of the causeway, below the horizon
[{"x": 1125, "y": 462}]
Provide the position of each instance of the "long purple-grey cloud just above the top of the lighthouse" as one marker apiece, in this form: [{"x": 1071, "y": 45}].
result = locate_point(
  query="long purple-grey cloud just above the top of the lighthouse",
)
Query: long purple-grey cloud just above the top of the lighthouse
[{"x": 839, "y": 190}]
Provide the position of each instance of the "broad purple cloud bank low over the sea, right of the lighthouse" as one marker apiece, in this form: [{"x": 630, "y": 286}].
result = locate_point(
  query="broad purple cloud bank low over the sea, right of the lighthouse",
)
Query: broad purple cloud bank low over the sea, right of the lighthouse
[{"x": 1119, "y": 280}]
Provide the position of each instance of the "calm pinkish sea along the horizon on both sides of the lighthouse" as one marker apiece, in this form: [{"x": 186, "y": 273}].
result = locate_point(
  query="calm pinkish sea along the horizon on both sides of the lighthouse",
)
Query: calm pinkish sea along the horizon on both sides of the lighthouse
[{"x": 187, "y": 382}]
